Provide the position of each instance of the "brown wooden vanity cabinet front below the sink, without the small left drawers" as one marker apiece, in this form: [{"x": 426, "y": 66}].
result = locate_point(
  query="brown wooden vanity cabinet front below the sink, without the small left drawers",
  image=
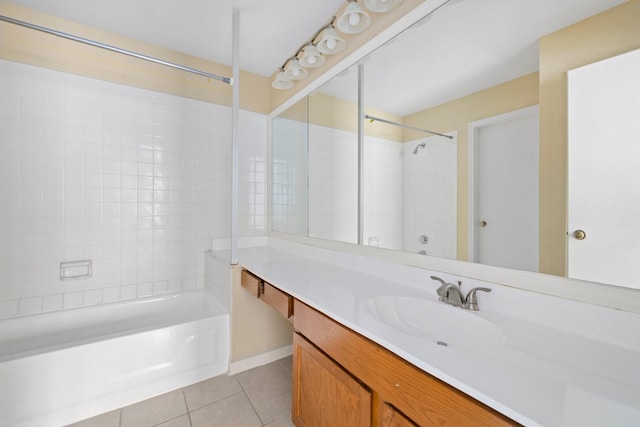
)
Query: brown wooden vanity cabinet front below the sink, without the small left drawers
[{"x": 402, "y": 395}]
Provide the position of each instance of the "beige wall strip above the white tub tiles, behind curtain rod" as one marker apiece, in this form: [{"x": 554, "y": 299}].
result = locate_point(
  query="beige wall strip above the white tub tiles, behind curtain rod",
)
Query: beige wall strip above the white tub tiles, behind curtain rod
[{"x": 43, "y": 50}]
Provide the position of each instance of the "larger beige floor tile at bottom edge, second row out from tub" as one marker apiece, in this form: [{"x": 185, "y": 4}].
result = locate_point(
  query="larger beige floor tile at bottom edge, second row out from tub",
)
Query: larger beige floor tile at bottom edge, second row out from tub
[{"x": 232, "y": 411}]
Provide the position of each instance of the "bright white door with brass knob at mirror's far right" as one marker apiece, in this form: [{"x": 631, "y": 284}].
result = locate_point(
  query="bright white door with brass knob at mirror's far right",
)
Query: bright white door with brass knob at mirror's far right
[{"x": 604, "y": 171}]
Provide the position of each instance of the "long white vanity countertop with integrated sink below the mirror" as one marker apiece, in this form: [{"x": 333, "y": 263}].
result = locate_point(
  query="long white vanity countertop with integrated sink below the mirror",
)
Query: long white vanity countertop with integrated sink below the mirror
[{"x": 538, "y": 359}]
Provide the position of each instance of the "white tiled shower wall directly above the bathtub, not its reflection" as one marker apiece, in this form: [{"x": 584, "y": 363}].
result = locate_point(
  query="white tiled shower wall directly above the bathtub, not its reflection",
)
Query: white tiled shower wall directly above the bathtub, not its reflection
[{"x": 137, "y": 181}]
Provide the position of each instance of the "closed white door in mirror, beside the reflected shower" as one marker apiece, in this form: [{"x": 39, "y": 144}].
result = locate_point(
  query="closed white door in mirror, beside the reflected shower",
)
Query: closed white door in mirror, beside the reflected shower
[{"x": 505, "y": 215}]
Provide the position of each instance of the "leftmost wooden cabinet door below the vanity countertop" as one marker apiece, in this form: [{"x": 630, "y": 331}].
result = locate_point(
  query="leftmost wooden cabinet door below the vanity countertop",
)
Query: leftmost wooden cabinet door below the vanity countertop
[{"x": 324, "y": 395}]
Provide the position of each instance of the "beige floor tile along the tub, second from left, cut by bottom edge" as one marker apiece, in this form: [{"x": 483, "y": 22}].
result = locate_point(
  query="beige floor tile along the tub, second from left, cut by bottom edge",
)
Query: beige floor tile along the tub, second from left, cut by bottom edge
[{"x": 155, "y": 410}]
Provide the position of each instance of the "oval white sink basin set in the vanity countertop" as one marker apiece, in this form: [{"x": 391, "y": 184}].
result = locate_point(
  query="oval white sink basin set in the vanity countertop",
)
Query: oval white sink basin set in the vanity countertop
[{"x": 439, "y": 323}]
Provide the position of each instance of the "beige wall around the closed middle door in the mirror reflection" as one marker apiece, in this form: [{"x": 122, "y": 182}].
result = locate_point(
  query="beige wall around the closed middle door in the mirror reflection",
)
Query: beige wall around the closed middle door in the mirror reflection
[{"x": 456, "y": 115}]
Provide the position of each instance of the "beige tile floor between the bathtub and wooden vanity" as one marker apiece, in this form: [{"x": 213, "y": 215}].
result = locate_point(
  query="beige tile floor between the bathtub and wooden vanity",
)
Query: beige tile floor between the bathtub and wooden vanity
[{"x": 258, "y": 397}]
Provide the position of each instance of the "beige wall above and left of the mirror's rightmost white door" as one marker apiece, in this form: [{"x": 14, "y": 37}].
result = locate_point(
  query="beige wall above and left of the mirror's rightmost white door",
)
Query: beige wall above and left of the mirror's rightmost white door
[{"x": 602, "y": 36}]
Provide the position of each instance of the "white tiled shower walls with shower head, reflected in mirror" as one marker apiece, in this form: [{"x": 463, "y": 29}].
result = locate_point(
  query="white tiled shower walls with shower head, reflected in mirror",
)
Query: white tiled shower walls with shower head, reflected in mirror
[{"x": 406, "y": 195}]
